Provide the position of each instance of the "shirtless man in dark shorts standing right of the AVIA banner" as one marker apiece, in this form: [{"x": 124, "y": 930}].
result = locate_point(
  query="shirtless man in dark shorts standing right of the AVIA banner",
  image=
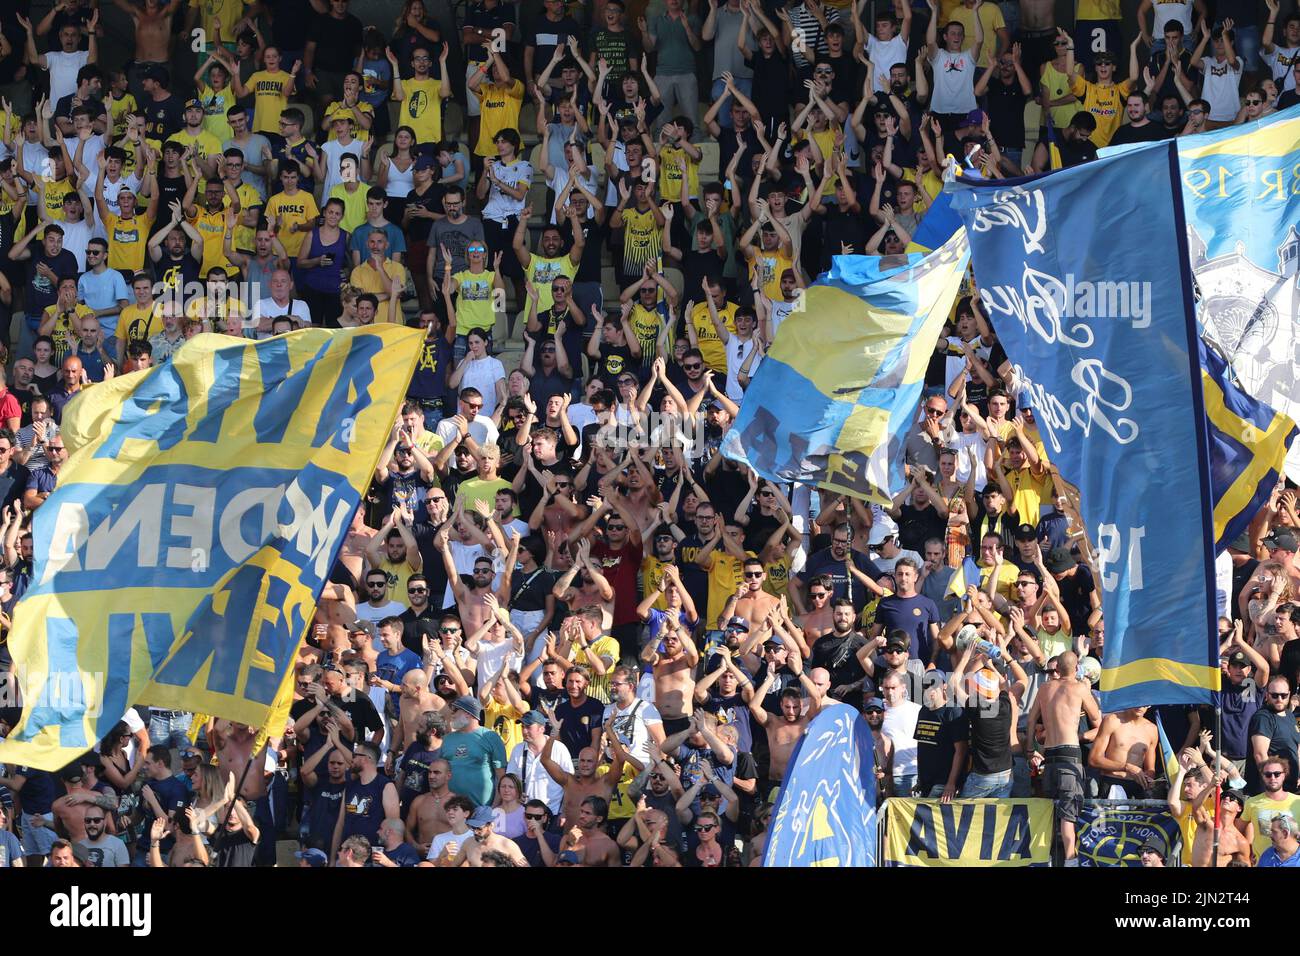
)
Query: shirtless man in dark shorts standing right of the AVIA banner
[{"x": 1058, "y": 706}]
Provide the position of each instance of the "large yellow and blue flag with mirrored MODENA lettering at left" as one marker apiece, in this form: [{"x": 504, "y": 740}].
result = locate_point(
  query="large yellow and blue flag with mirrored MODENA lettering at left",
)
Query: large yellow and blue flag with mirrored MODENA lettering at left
[{"x": 194, "y": 527}]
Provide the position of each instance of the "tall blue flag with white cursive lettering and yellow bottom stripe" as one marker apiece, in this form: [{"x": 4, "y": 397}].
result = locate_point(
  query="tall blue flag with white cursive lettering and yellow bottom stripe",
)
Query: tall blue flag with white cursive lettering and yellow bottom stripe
[{"x": 1085, "y": 276}]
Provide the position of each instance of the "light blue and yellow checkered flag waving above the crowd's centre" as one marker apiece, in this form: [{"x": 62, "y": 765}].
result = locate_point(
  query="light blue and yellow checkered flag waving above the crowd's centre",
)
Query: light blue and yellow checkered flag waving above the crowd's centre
[{"x": 834, "y": 400}]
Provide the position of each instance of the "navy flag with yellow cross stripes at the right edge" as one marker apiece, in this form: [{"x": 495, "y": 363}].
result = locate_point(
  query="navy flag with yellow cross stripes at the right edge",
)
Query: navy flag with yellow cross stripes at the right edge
[{"x": 1249, "y": 449}]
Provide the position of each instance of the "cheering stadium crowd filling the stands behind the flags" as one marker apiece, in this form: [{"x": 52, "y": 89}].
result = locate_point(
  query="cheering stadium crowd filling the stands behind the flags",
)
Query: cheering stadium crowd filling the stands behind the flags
[{"x": 565, "y": 630}]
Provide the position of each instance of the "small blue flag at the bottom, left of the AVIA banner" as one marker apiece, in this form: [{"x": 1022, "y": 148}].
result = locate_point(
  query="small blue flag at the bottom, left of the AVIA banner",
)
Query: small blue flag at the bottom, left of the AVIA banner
[{"x": 826, "y": 812}]
